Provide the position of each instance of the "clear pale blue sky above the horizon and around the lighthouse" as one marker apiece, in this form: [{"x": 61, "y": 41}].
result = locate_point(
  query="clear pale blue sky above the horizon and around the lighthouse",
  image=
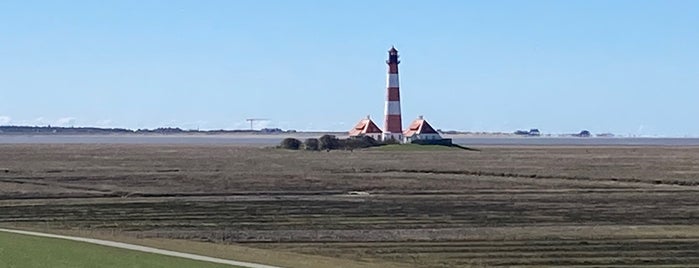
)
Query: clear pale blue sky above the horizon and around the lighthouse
[{"x": 627, "y": 67}]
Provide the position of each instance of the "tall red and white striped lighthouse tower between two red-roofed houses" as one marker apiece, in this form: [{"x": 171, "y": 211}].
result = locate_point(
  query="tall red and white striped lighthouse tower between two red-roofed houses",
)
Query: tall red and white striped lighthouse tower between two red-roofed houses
[{"x": 393, "y": 128}]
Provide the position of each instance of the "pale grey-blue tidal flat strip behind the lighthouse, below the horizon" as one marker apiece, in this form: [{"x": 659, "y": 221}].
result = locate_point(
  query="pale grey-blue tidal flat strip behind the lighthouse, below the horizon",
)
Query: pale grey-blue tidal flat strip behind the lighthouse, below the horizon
[{"x": 257, "y": 139}]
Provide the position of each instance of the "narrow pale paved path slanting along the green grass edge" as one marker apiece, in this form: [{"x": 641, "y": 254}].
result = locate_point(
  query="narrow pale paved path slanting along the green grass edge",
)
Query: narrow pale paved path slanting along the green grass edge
[{"x": 143, "y": 249}]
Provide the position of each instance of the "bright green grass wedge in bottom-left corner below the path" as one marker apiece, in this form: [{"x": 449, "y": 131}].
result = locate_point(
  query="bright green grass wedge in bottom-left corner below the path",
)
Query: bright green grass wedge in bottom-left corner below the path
[{"x": 28, "y": 251}]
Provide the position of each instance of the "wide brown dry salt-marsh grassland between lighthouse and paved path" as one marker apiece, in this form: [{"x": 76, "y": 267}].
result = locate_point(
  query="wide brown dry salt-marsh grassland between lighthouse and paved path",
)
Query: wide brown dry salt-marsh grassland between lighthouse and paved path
[{"x": 500, "y": 206}]
